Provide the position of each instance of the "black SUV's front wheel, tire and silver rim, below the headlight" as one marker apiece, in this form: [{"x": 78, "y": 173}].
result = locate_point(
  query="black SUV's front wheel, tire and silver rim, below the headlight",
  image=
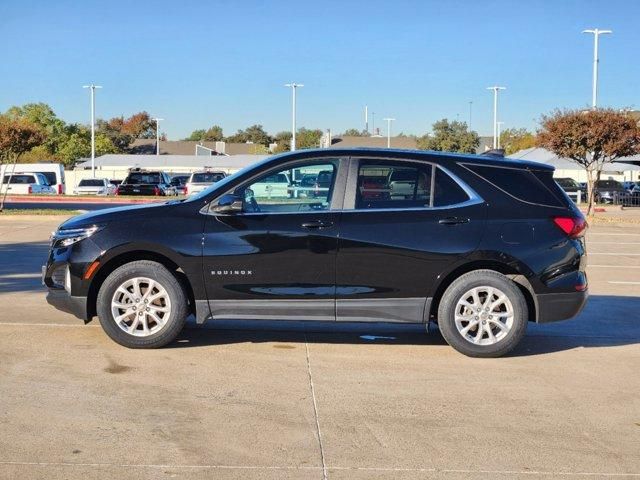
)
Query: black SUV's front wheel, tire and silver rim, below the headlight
[{"x": 142, "y": 305}]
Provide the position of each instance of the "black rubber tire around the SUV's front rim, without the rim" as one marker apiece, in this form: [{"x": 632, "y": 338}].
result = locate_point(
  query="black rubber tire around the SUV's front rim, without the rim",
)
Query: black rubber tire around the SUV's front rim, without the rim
[{"x": 159, "y": 273}]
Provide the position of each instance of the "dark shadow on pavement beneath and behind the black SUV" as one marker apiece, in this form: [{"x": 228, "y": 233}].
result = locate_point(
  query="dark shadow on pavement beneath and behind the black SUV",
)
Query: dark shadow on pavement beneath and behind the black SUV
[{"x": 606, "y": 321}]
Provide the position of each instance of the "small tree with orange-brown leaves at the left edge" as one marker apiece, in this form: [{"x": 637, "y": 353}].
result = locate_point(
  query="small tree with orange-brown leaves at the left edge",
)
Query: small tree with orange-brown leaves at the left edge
[{"x": 17, "y": 136}]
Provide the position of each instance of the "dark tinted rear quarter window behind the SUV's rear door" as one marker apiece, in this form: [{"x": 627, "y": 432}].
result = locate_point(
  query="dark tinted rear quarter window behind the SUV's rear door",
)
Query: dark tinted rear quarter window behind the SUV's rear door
[{"x": 524, "y": 185}]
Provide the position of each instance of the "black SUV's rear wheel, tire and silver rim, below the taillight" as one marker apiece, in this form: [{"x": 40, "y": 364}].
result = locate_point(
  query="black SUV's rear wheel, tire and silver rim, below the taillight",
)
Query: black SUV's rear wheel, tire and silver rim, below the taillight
[{"x": 483, "y": 314}]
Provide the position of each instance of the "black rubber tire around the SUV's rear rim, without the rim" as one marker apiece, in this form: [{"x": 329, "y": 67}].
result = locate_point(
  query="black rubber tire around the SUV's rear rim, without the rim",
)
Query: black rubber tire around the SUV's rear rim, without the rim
[{"x": 455, "y": 292}]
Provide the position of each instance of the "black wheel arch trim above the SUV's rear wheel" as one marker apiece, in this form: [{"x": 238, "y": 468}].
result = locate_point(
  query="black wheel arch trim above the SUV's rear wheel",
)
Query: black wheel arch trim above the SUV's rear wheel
[{"x": 508, "y": 270}]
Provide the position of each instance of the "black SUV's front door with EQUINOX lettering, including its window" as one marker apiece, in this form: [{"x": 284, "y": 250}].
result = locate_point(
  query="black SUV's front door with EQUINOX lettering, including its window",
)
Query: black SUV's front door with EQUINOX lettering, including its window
[{"x": 276, "y": 258}]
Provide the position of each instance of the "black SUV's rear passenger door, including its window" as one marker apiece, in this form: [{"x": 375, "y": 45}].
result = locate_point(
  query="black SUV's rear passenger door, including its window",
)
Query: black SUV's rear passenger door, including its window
[{"x": 403, "y": 224}]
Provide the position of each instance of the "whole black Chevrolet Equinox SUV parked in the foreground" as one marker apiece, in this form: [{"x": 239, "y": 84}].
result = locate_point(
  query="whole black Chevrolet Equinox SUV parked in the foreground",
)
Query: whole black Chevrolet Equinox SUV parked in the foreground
[{"x": 479, "y": 245}]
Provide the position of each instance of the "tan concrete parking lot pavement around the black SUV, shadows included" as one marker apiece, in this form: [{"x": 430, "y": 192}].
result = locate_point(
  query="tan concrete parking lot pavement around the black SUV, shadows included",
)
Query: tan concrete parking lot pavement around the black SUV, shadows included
[{"x": 296, "y": 401}]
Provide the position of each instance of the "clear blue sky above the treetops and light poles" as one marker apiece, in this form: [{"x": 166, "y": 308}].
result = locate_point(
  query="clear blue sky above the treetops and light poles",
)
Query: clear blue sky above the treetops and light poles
[{"x": 196, "y": 63}]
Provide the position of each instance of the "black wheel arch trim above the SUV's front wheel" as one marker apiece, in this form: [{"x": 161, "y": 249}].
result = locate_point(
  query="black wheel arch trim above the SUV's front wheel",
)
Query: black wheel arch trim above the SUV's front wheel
[{"x": 129, "y": 256}]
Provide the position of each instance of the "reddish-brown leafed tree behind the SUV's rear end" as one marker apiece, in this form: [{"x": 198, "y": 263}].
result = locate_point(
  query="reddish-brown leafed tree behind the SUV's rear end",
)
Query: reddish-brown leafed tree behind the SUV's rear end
[{"x": 591, "y": 139}]
